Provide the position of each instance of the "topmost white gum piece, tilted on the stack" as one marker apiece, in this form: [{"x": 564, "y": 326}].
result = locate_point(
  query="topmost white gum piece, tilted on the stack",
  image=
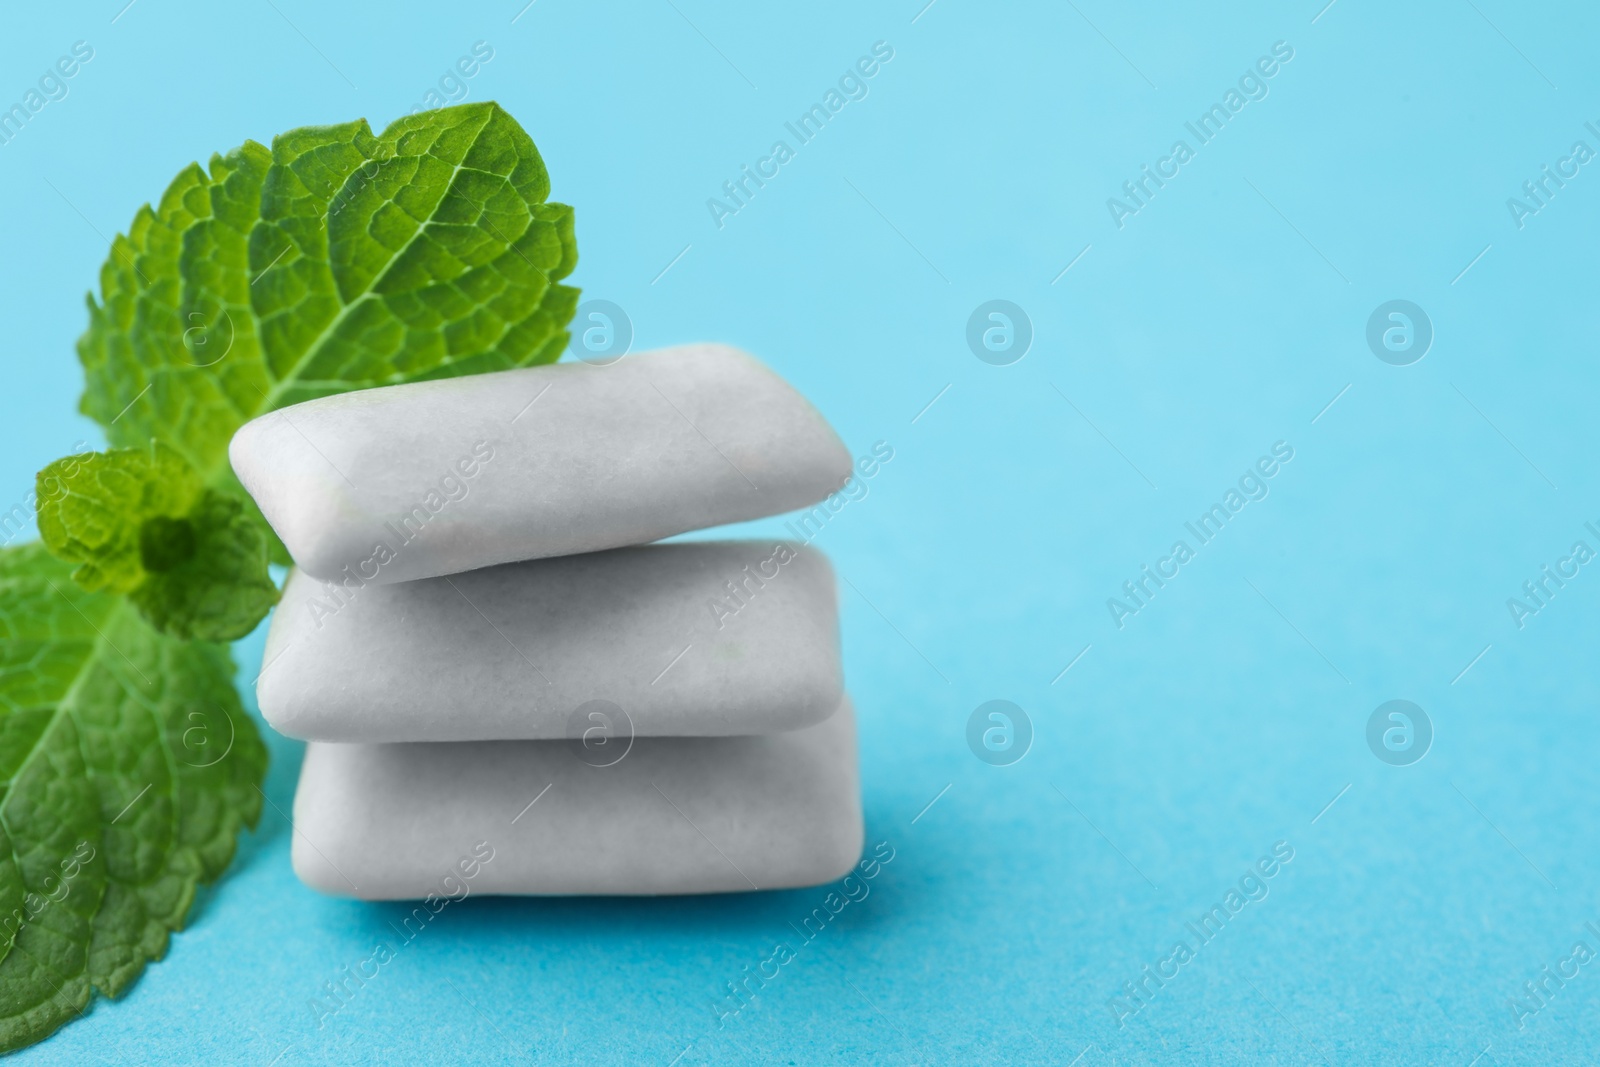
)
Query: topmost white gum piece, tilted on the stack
[{"x": 428, "y": 479}]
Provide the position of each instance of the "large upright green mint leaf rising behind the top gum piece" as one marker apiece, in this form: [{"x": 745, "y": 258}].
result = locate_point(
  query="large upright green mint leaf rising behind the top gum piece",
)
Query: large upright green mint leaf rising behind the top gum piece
[{"x": 338, "y": 260}]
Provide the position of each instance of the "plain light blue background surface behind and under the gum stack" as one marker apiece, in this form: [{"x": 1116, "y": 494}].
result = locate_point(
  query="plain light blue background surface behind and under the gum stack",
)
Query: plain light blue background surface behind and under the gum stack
[{"x": 1220, "y": 319}]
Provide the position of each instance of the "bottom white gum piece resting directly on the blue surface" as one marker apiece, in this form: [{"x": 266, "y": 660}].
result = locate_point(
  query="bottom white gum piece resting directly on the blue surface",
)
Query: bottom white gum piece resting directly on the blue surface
[{"x": 674, "y": 815}]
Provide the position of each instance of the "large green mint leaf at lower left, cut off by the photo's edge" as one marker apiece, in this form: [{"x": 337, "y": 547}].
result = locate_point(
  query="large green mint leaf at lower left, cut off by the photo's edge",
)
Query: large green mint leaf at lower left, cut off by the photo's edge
[{"x": 129, "y": 769}]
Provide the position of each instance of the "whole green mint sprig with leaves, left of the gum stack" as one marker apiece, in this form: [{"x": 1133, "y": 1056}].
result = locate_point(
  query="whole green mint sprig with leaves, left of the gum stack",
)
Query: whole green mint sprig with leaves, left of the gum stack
[{"x": 335, "y": 260}]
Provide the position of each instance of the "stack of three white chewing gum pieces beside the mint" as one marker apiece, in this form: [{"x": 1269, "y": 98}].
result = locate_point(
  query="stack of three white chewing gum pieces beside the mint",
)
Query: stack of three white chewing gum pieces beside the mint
[{"x": 482, "y": 645}]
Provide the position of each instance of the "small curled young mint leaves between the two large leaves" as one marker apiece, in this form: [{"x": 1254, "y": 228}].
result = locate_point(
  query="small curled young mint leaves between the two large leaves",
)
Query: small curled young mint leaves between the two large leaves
[{"x": 138, "y": 522}]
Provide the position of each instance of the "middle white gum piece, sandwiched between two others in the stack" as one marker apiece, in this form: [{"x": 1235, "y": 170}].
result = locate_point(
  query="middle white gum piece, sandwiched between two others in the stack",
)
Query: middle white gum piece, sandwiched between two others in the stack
[{"x": 689, "y": 639}]
